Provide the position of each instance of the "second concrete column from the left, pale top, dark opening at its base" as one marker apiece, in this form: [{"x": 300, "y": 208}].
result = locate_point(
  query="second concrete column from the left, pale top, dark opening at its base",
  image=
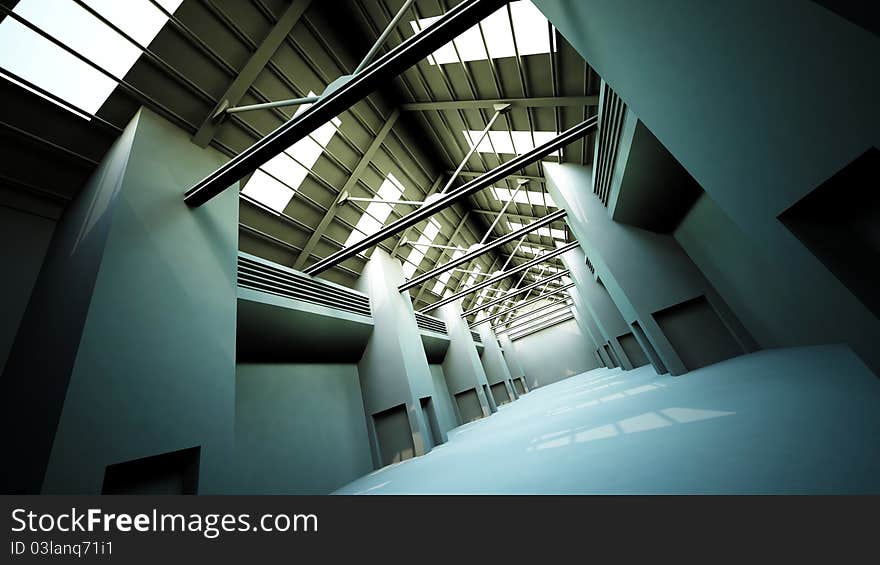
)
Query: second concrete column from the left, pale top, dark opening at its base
[{"x": 394, "y": 368}]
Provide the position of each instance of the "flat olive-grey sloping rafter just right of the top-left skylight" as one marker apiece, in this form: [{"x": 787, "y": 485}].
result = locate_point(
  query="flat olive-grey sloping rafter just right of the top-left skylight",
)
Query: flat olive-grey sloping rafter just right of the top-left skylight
[{"x": 251, "y": 69}]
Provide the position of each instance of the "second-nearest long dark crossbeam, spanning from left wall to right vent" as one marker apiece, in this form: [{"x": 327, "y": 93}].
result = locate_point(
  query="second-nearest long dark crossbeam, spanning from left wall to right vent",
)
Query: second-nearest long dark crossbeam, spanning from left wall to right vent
[{"x": 460, "y": 193}]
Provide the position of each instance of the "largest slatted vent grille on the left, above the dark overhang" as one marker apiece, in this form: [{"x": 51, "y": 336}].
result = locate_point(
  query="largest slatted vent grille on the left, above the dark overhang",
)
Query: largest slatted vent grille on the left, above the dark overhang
[{"x": 274, "y": 279}]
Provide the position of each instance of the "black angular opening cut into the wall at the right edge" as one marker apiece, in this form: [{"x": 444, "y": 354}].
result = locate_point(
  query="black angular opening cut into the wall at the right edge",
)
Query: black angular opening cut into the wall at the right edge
[{"x": 839, "y": 222}]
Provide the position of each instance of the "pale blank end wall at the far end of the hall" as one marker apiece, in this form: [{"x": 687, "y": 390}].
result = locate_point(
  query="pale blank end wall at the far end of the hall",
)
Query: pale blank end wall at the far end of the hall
[{"x": 554, "y": 354}]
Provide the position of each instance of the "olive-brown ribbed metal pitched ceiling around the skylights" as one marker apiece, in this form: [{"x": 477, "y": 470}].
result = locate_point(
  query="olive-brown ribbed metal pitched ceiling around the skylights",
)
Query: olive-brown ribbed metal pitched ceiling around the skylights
[{"x": 209, "y": 50}]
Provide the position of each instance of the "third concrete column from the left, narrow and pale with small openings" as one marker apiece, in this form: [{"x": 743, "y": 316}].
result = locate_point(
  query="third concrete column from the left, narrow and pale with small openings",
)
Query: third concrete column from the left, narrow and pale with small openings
[{"x": 462, "y": 365}]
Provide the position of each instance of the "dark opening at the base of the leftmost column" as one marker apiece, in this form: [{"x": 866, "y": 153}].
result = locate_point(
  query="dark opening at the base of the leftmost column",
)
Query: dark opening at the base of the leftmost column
[{"x": 175, "y": 472}]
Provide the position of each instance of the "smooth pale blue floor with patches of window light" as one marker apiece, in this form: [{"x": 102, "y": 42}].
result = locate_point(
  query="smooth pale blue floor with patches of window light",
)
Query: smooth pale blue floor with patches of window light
[{"x": 802, "y": 420}]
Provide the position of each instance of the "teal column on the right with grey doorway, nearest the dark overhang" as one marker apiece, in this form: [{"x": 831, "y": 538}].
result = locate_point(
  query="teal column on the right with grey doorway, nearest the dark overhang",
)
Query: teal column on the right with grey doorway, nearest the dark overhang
[{"x": 650, "y": 279}]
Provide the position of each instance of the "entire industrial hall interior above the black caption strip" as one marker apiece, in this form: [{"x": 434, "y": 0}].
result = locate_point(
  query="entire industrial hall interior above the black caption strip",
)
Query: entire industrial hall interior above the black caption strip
[{"x": 439, "y": 246}]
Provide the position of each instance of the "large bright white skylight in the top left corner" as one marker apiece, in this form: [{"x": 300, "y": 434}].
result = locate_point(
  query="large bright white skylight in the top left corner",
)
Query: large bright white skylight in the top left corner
[{"x": 30, "y": 56}]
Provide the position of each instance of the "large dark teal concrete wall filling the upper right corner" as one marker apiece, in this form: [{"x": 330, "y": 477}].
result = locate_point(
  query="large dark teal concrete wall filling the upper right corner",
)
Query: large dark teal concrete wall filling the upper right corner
[{"x": 756, "y": 149}]
